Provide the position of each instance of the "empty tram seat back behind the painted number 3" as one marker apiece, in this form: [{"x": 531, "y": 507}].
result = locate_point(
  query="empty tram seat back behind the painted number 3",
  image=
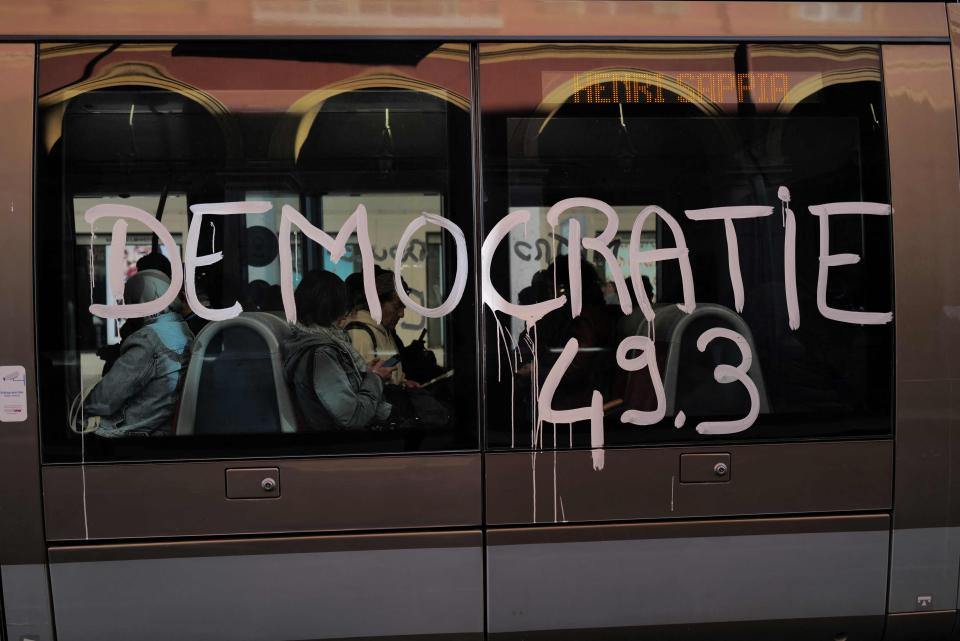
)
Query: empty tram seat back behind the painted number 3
[{"x": 676, "y": 332}]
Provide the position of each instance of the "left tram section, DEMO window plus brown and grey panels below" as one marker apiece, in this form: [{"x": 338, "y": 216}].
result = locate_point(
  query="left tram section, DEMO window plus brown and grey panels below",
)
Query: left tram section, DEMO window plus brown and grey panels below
[{"x": 211, "y": 472}]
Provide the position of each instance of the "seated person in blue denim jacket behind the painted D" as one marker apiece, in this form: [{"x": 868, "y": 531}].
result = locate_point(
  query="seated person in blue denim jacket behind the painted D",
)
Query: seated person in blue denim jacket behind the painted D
[{"x": 138, "y": 395}]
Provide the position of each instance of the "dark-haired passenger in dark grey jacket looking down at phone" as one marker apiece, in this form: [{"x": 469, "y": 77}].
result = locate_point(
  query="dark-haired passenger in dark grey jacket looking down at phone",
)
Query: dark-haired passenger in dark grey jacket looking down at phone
[{"x": 333, "y": 387}]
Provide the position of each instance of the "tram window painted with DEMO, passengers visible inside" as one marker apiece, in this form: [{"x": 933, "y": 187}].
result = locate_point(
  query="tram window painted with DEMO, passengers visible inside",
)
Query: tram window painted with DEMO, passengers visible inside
[{"x": 236, "y": 152}]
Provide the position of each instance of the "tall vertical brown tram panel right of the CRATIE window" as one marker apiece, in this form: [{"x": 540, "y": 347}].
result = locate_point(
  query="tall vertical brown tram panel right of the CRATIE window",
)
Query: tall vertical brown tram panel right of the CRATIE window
[{"x": 921, "y": 116}]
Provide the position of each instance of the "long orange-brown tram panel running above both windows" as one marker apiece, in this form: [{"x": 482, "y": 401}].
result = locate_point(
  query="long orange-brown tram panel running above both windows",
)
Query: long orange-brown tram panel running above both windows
[{"x": 479, "y": 19}]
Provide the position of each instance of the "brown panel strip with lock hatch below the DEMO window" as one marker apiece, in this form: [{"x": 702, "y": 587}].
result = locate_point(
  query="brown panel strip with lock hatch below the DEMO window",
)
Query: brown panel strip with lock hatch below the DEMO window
[{"x": 189, "y": 499}]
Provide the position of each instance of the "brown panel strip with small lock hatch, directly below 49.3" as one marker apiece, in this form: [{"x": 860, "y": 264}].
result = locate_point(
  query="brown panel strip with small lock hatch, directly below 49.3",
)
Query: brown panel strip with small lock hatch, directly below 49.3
[{"x": 781, "y": 478}]
